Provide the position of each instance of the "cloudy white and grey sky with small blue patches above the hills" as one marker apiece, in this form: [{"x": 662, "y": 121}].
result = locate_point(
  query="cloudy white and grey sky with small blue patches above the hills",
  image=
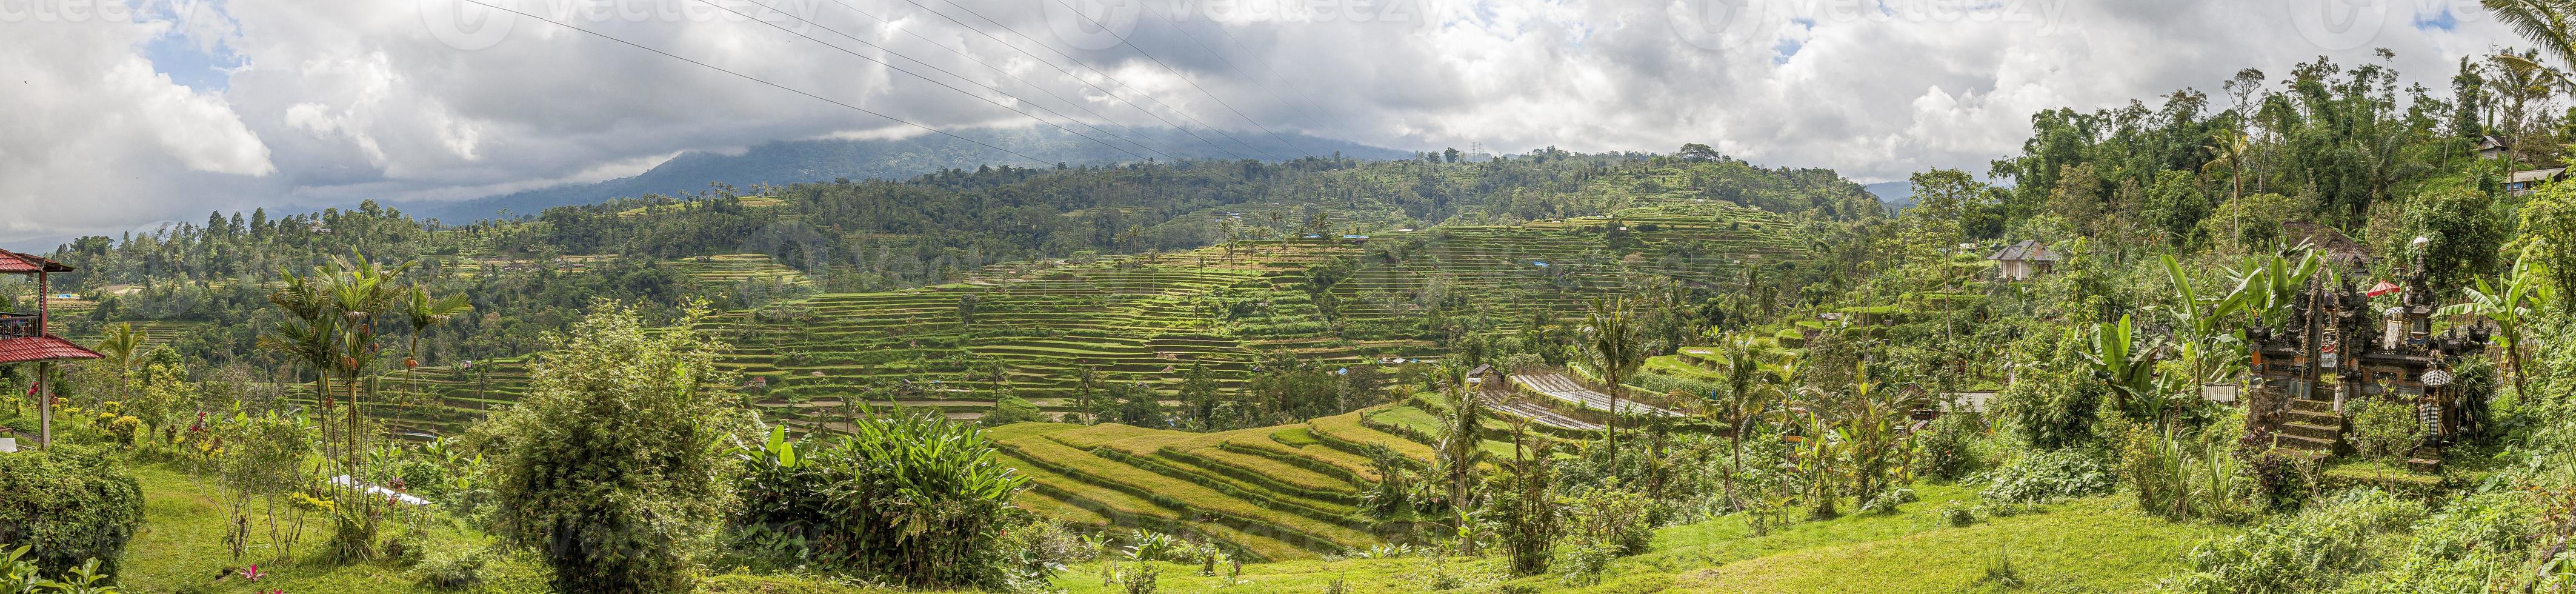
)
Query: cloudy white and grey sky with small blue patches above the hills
[{"x": 125, "y": 114}]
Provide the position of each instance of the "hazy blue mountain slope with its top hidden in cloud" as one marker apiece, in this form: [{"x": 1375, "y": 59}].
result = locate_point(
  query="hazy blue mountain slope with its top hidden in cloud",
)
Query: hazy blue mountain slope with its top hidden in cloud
[{"x": 782, "y": 163}]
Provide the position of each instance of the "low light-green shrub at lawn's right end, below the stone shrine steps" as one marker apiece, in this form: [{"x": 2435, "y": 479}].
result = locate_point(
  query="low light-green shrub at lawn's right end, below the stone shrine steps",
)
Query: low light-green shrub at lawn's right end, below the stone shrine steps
[{"x": 2309, "y": 552}]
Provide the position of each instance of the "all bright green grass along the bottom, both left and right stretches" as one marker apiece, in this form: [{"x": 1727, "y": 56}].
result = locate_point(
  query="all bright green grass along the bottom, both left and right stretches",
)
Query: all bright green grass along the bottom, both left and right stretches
[{"x": 2080, "y": 546}]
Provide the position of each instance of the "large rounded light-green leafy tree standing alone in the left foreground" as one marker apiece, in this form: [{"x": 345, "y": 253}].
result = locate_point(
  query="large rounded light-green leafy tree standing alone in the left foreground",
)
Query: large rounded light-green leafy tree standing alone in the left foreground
[{"x": 607, "y": 469}]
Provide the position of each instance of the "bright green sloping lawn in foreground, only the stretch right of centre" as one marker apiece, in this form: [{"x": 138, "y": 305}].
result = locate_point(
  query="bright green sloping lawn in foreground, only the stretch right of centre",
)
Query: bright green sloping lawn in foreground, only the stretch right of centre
[{"x": 2080, "y": 546}]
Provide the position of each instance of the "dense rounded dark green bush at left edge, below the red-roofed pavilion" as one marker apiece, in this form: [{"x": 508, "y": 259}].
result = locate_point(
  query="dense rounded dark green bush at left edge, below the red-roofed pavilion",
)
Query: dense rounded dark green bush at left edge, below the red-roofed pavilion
[{"x": 68, "y": 505}]
